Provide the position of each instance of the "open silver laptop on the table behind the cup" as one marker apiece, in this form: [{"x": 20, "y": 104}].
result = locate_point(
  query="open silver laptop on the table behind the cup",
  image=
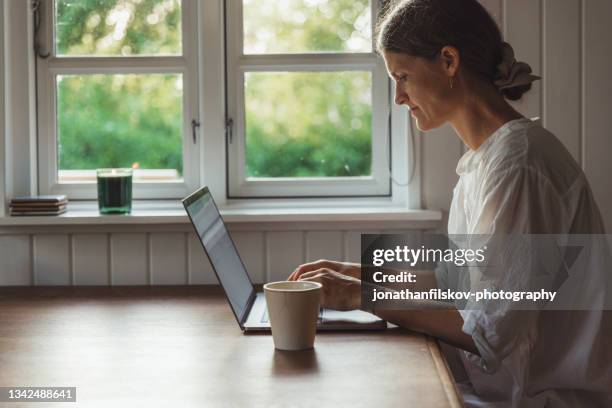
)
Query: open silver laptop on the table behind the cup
[{"x": 249, "y": 305}]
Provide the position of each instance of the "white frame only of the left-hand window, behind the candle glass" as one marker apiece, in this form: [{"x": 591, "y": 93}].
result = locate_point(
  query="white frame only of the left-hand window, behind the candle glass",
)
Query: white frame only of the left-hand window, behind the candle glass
[{"x": 47, "y": 71}]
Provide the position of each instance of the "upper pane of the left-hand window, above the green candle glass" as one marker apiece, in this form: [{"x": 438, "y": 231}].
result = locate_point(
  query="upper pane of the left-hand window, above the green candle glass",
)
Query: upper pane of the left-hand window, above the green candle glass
[{"x": 118, "y": 27}]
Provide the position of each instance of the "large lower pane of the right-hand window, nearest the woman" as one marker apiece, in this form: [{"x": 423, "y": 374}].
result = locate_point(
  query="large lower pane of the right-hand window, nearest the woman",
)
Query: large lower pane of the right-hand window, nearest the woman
[{"x": 308, "y": 124}]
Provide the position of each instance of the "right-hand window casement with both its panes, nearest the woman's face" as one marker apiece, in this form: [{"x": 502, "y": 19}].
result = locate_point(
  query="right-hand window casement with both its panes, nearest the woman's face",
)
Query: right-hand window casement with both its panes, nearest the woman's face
[{"x": 307, "y": 100}]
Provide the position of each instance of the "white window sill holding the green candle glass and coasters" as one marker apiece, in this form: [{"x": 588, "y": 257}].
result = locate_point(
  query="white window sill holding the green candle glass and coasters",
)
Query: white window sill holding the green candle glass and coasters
[{"x": 172, "y": 212}]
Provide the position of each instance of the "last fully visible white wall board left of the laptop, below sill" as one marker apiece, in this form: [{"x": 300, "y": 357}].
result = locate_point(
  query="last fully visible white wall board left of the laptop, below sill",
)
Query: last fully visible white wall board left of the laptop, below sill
[{"x": 168, "y": 259}]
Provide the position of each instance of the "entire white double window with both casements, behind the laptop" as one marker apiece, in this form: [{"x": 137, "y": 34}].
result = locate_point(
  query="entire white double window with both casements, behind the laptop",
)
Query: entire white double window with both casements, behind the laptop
[{"x": 293, "y": 100}]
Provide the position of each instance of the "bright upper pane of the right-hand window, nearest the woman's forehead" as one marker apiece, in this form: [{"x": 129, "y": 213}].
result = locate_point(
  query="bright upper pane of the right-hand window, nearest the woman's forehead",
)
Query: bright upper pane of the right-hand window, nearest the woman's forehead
[{"x": 303, "y": 26}]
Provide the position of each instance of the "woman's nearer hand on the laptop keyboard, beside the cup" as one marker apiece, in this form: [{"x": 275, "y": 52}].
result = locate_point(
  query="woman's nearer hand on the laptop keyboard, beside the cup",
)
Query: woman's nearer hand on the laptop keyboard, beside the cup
[{"x": 339, "y": 291}]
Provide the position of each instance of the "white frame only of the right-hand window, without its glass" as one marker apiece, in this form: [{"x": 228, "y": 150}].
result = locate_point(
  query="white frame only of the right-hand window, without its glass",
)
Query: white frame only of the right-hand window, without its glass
[{"x": 376, "y": 185}]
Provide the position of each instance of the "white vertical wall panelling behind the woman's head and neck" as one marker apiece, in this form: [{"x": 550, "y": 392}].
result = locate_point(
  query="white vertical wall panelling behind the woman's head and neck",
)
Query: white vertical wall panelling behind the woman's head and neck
[{"x": 567, "y": 43}]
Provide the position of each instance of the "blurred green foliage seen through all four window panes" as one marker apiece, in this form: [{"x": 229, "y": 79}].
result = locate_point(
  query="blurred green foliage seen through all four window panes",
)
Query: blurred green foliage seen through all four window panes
[{"x": 303, "y": 124}]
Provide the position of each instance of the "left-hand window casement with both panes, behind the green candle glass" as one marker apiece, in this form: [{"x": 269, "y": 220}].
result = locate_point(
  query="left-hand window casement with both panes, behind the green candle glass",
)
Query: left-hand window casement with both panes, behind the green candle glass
[{"x": 118, "y": 89}]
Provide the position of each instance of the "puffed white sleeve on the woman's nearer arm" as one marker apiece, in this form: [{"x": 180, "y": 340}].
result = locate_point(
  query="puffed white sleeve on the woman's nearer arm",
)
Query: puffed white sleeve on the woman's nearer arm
[{"x": 511, "y": 201}]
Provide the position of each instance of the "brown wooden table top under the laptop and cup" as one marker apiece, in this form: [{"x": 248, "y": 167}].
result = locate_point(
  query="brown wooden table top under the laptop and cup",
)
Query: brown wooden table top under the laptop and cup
[{"x": 181, "y": 347}]
